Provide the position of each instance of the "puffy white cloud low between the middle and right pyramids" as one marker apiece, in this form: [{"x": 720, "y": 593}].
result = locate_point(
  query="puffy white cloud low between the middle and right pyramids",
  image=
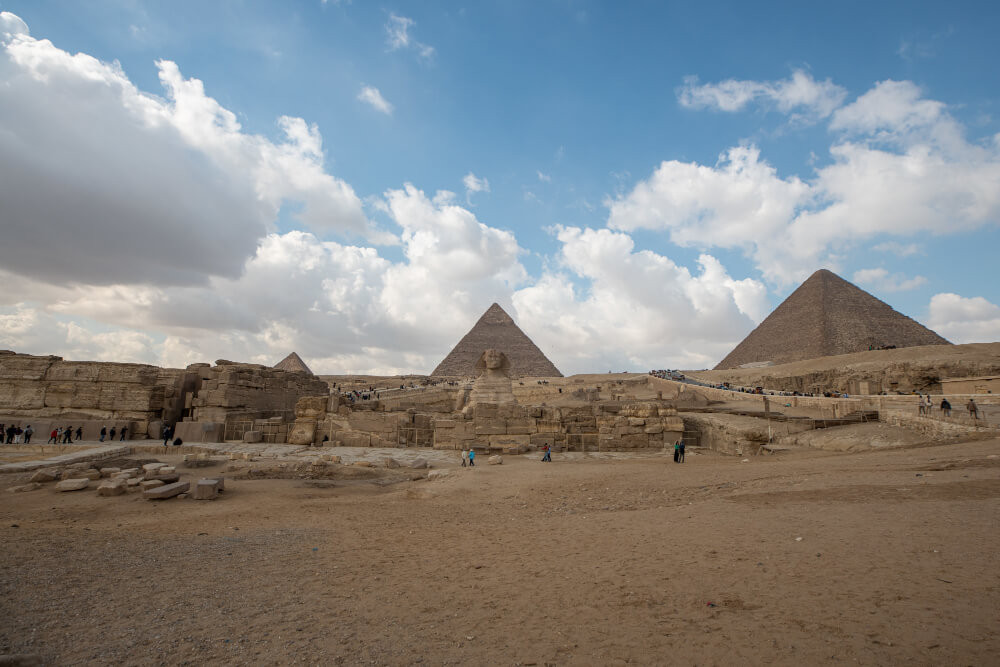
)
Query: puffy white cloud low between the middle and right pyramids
[{"x": 637, "y": 309}]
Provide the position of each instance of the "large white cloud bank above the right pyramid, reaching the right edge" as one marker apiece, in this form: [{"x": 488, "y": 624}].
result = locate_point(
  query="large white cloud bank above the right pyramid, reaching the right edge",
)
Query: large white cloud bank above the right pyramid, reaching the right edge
[{"x": 901, "y": 166}]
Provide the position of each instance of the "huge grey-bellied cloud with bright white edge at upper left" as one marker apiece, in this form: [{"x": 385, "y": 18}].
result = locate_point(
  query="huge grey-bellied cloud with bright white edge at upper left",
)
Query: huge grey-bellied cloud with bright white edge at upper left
[{"x": 101, "y": 183}]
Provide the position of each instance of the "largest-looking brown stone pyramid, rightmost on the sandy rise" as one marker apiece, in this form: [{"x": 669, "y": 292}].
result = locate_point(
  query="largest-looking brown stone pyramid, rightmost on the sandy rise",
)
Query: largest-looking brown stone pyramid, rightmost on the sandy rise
[{"x": 827, "y": 315}]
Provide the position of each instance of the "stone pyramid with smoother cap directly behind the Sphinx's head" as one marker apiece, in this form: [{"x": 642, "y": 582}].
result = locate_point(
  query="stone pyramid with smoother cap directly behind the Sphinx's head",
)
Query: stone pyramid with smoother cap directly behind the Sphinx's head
[{"x": 496, "y": 330}]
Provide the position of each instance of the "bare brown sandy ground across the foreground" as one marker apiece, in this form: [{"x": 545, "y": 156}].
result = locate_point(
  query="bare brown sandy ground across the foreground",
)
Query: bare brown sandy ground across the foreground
[{"x": 884, "y": 557}]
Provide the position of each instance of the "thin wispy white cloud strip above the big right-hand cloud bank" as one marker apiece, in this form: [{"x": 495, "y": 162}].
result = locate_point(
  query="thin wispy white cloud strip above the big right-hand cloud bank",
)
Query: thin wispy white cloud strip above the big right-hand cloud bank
[{"x": 800, "y": 94}]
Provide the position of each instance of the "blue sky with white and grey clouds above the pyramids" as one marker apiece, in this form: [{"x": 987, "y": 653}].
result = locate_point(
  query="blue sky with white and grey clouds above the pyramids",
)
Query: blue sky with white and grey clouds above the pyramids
[{"x": 637, "y": 184}]
